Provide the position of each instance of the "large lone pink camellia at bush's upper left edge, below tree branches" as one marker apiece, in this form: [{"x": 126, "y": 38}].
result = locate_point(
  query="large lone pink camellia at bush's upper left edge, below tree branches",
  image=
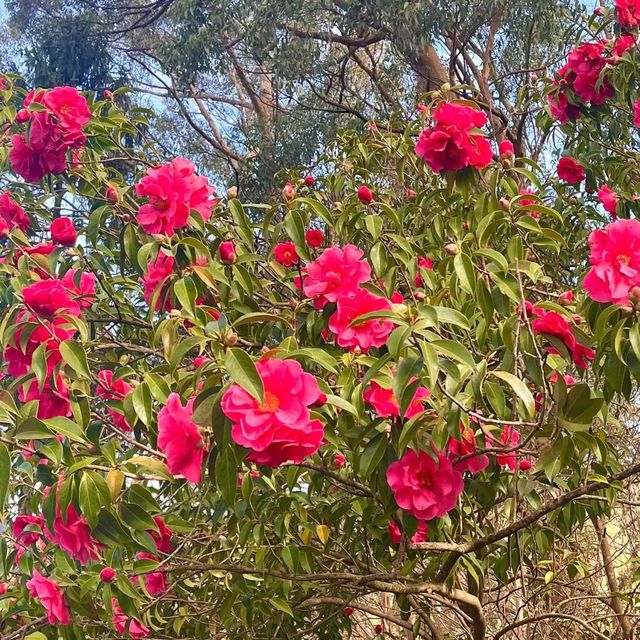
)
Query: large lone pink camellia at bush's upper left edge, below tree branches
[{"x": 173, "y": 190}]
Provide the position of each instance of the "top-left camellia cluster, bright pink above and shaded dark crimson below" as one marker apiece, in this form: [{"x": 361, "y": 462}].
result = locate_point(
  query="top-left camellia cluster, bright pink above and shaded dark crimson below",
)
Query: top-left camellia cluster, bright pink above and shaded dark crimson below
[{"x": 50, "y": 132}]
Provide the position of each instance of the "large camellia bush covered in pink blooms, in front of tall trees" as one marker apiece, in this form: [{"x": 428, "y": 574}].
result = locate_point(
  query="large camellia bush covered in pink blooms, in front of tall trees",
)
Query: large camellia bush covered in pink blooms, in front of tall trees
[{"x": 375, "y": 406}]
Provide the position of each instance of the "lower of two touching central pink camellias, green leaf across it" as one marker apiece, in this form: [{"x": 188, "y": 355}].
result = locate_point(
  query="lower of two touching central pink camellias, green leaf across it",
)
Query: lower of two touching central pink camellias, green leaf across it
[{"x": 369, "y": 333}]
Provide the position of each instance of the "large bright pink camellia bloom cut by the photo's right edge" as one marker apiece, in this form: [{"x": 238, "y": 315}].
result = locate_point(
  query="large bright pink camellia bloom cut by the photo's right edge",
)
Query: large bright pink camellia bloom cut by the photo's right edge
[{"x": 615, "y": 261}]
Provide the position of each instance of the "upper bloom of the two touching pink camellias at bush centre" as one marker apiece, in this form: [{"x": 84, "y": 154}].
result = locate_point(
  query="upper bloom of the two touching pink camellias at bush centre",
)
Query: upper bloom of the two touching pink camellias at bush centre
[{"x": 336, "y": 273}]
